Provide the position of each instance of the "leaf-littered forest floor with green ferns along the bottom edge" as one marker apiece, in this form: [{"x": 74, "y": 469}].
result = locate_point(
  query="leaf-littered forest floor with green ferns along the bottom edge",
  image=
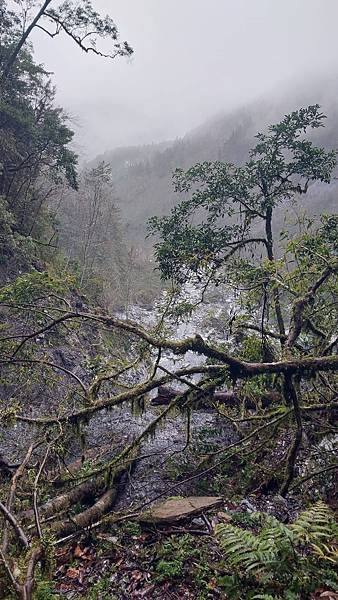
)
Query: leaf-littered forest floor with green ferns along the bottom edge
[{"x": 247, "y": 556}]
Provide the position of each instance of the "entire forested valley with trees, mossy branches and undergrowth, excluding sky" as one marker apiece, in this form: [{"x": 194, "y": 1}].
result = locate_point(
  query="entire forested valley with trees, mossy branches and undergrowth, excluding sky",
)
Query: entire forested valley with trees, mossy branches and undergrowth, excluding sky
[{"x": 168, "y": 344}]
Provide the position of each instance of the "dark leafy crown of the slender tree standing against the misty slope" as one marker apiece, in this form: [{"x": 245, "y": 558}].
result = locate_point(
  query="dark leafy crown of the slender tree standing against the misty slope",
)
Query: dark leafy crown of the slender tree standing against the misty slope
[{"x": 228, "y": 203}]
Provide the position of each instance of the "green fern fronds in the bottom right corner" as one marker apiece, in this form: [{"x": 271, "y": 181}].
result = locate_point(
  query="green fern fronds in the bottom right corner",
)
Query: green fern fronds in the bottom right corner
[{"x": 278, "y": 557}]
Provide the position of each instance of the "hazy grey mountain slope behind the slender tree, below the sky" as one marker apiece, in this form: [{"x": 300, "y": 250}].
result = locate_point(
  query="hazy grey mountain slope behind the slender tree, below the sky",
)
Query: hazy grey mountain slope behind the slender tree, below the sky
[{"x": 142, "y": 175}]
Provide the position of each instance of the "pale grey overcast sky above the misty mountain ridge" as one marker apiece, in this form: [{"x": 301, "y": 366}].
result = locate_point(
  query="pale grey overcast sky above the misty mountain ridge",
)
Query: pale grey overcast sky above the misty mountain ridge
[{"x": 192, "y": 59}]
